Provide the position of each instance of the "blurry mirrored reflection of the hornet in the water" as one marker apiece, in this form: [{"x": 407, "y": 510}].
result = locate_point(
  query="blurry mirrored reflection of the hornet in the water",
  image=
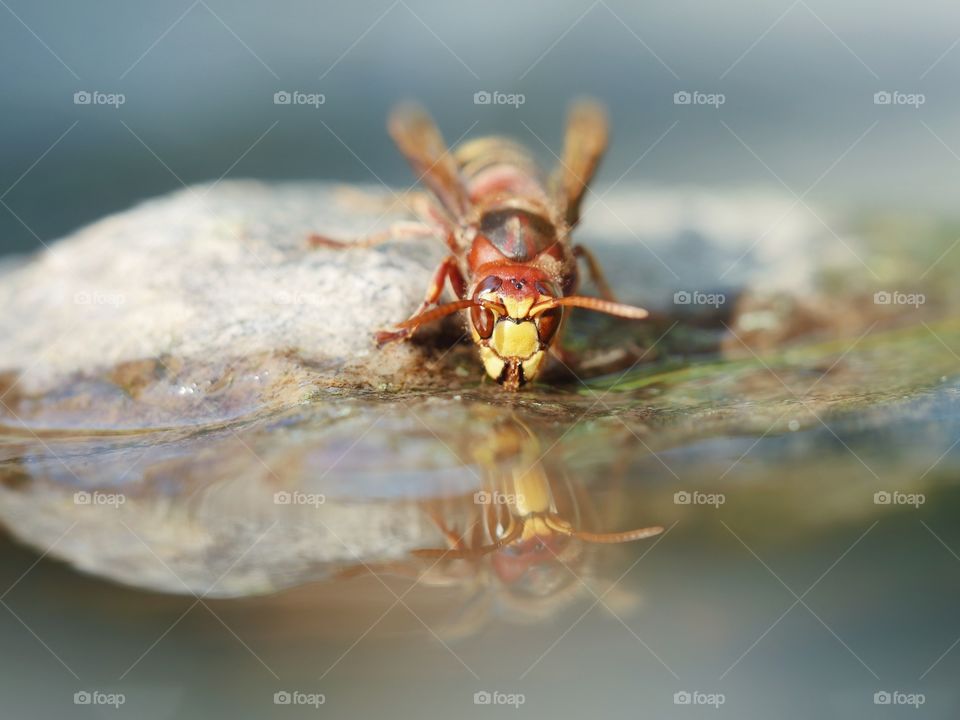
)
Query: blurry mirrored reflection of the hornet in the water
[{"x": 522, "y": 544}]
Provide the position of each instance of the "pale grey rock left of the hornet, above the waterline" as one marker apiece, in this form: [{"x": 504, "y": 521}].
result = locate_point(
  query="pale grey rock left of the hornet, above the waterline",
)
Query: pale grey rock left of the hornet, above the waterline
[{"x": 212, "y": 282}]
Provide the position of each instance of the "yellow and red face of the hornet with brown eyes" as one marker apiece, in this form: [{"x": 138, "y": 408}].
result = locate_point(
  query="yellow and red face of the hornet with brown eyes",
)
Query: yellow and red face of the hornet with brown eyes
[{"x": 512, "y": 335}]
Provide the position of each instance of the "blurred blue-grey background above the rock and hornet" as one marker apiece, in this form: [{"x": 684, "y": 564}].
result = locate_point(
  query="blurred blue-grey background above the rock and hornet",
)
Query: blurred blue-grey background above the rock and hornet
[{"x": 198, "y": 80}]
